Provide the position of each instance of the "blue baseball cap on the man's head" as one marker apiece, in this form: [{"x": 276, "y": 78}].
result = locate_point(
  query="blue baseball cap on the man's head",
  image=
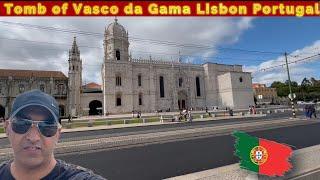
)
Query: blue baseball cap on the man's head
[{"x": 35, "y": 99}]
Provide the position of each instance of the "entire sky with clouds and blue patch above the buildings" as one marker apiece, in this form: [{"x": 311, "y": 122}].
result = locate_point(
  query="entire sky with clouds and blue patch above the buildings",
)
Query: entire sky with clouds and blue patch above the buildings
[{"x": 259, "y": 44}]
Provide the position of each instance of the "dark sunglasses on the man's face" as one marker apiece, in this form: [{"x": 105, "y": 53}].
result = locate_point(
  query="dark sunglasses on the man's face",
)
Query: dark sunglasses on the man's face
[{"x": 22, "y": 125}]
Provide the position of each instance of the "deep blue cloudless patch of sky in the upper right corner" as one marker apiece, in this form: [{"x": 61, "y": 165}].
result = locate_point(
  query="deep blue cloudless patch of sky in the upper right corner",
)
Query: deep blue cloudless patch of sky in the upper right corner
[{"x": 280, "y": 34}]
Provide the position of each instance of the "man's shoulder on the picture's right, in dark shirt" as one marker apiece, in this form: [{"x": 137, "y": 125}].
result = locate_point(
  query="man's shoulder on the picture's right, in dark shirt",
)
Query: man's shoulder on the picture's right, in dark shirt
[{"x": 77, "y": 172}]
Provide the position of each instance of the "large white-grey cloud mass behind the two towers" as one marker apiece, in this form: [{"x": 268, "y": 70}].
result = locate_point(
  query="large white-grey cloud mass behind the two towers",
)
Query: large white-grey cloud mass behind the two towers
[{"x": 187, "y": 30}]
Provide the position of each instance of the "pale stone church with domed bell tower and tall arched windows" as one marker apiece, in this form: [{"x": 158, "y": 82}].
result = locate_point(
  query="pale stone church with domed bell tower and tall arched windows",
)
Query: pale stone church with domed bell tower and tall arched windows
[{"x": 149, "y": 85}]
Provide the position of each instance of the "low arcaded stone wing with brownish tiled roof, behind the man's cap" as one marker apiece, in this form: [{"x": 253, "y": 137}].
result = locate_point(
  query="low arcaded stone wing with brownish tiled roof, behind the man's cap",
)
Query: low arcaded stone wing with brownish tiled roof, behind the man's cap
[{"x": 13, "y": 82}]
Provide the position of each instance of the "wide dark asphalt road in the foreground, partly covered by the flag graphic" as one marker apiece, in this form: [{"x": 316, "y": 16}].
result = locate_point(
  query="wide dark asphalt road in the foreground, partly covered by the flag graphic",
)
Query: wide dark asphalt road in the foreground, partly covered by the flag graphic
[{"x": 176, "y": 158}]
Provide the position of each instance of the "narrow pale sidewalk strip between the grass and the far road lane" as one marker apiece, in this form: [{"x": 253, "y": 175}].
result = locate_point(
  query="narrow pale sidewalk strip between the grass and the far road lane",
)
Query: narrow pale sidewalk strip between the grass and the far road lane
[{"x": 116, "y": 126}]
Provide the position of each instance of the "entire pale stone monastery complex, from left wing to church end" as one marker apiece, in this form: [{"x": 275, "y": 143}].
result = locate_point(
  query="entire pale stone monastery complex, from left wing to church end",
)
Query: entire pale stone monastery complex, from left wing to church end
[{"x": 133, "y": 84}]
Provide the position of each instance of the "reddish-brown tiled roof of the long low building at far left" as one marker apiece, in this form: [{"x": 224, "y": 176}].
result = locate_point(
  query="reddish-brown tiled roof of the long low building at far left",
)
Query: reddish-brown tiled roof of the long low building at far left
[{"x": 31, "y": 73}]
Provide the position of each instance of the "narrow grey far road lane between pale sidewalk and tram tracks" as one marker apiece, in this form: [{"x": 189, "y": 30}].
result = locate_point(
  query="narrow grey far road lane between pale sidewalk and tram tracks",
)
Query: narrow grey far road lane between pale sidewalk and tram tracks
[{"x": 159, "y": 128}]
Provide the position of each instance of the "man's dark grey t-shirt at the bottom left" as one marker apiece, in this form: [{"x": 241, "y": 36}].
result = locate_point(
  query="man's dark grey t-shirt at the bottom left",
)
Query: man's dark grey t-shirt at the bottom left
[{"x": 62, "y": 171}]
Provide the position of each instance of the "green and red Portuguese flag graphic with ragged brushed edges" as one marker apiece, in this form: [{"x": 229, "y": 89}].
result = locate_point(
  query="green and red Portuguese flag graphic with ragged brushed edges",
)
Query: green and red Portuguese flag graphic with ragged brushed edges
[{"x": 261, "y": 155}]
